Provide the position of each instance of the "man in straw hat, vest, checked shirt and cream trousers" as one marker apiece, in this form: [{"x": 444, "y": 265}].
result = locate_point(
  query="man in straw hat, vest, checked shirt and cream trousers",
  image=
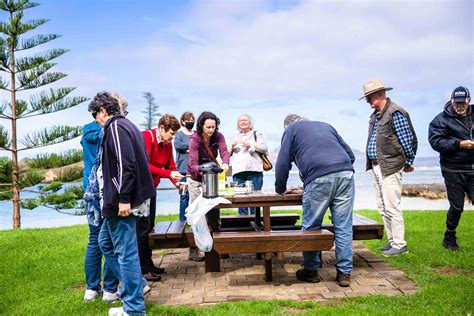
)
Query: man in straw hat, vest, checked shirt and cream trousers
[{"x": 391, "y": 149}]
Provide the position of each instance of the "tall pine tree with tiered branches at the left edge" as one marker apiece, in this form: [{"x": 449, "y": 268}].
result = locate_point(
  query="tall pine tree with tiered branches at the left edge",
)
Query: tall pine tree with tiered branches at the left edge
[{"x": 20, "y": 72}]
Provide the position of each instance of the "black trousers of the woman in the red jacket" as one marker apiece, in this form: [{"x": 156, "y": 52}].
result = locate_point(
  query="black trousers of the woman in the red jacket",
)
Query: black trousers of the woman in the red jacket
[{"x": 144, "y": 227}]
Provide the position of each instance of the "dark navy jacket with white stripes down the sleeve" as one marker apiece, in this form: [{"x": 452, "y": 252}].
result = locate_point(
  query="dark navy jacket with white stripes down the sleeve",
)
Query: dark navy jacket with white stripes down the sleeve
[{"x": 127, "y": 178}]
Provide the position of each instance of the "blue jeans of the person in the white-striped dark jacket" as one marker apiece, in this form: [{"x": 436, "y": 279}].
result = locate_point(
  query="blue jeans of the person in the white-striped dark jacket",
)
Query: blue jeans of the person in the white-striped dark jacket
[{"x": 118, "y": 242}]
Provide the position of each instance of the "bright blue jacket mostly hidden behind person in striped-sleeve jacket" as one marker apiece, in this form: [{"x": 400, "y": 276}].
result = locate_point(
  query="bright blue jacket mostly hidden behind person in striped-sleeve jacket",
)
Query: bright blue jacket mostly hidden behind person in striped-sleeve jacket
[{"x": 89, "y": 142}]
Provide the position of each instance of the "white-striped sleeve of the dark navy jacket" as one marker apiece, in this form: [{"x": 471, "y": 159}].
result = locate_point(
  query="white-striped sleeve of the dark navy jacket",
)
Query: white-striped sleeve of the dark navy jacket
[{"x": 124, "y": 154}]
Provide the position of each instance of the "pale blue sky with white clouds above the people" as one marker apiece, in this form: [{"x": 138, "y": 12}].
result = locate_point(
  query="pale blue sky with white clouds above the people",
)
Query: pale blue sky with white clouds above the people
[{"x": 262, "y": 58}]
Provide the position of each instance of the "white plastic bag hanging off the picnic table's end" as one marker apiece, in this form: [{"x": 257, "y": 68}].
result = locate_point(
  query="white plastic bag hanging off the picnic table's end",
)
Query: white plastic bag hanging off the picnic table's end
[{"x": 196, "y": 217}]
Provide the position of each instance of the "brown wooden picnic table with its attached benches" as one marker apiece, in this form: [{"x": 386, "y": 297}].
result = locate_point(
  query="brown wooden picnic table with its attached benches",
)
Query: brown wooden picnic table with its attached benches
[{"x": 272, "y": 233}]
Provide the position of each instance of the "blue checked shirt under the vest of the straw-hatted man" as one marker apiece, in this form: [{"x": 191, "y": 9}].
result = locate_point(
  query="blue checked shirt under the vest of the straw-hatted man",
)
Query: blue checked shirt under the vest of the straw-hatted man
[{"x": 403, "y": 133}]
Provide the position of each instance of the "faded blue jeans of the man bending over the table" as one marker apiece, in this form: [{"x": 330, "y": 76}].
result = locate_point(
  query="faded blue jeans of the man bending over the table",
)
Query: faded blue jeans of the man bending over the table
[{"x": 336, "y": 192}]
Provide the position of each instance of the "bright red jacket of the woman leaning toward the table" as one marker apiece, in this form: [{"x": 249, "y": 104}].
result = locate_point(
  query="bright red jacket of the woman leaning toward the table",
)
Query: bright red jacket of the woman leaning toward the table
[{"x": 160, "y": 157}]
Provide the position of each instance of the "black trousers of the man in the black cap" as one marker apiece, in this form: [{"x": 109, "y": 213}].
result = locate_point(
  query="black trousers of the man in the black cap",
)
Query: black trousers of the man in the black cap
[{"x": 458, "y": 184}]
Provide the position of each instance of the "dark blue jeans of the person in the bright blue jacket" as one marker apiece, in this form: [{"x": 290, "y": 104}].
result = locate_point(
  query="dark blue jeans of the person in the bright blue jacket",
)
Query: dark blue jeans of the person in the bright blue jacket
[{"x": 93, "y": 264}]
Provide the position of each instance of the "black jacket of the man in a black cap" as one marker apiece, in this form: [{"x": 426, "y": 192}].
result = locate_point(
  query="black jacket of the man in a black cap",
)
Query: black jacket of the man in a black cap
[{"x": 446, "y": 131}]
